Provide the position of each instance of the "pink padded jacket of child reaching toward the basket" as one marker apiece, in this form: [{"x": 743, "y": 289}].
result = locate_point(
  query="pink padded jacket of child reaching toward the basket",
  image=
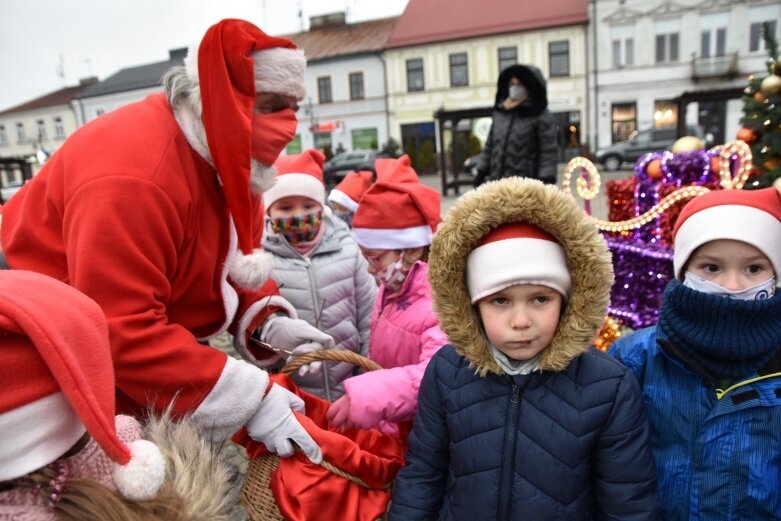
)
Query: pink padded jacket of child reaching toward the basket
[{"x": 405, "y": 334}]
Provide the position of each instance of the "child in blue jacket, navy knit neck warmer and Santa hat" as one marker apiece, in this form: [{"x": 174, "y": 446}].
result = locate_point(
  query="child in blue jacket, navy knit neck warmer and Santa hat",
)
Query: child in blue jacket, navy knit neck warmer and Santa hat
[{"x": 711, "y": 368}]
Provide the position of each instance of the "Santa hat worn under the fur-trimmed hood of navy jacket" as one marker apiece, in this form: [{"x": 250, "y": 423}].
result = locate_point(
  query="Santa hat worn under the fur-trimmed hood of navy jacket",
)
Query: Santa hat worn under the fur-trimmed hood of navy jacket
[{"x": 517, "y": 253}]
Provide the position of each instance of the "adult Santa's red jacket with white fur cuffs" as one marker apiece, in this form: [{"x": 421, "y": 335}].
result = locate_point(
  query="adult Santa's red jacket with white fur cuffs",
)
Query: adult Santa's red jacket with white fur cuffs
[{"x": 128, "y": 213}]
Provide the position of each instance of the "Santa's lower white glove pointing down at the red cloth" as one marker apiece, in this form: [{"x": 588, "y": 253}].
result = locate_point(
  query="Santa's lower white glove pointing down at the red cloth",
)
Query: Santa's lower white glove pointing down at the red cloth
[{"x": 275, "y": 425}]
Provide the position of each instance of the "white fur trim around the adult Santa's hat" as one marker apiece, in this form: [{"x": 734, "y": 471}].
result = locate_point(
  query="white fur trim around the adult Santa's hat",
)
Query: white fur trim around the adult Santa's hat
[{"x": 278, "y": 70}]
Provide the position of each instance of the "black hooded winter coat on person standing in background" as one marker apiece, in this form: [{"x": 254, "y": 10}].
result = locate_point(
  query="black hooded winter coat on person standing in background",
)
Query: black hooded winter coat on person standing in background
[{"x": 522, "y": 141}]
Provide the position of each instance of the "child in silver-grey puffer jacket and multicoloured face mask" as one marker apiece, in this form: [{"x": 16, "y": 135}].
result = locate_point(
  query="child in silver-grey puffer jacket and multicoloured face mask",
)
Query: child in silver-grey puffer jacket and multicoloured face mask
[{"x": 318, "y": 268}]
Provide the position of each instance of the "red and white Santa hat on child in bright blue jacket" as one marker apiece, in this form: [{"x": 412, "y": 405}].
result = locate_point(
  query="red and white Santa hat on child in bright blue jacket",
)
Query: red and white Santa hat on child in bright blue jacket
[{"x": 750, "y": 216}]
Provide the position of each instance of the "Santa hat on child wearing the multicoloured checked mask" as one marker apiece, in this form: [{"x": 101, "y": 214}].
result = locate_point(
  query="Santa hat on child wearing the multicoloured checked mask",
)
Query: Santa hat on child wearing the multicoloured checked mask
[{"x": 298, "y": 174}]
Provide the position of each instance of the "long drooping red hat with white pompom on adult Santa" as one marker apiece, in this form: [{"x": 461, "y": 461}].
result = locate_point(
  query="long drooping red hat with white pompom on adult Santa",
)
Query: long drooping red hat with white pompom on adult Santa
[{"x": 233, "y": 62}]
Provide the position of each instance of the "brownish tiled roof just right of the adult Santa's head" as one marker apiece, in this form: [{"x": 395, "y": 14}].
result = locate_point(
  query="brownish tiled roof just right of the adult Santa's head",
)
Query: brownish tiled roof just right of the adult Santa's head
[{"x": 331, "y": 41}]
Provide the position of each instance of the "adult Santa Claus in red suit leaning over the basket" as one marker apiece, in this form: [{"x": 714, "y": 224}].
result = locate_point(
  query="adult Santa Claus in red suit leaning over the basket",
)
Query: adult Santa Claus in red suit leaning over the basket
[{"x": 152, "y": 211}]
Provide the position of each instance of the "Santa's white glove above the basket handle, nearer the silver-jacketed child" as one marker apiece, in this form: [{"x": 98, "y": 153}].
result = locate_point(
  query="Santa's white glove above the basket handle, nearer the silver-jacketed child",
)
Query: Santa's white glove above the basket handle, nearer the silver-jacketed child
[{"x": 297, "y": 336}]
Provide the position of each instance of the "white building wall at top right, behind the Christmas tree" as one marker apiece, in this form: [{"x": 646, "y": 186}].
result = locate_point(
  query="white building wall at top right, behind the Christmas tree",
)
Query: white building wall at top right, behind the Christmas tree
[{"x": 644, "y": 82}]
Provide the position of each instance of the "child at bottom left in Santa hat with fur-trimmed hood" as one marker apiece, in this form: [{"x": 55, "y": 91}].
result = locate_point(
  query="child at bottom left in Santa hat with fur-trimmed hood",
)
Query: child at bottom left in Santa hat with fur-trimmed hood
[{"x": 63, "y": 453}]
